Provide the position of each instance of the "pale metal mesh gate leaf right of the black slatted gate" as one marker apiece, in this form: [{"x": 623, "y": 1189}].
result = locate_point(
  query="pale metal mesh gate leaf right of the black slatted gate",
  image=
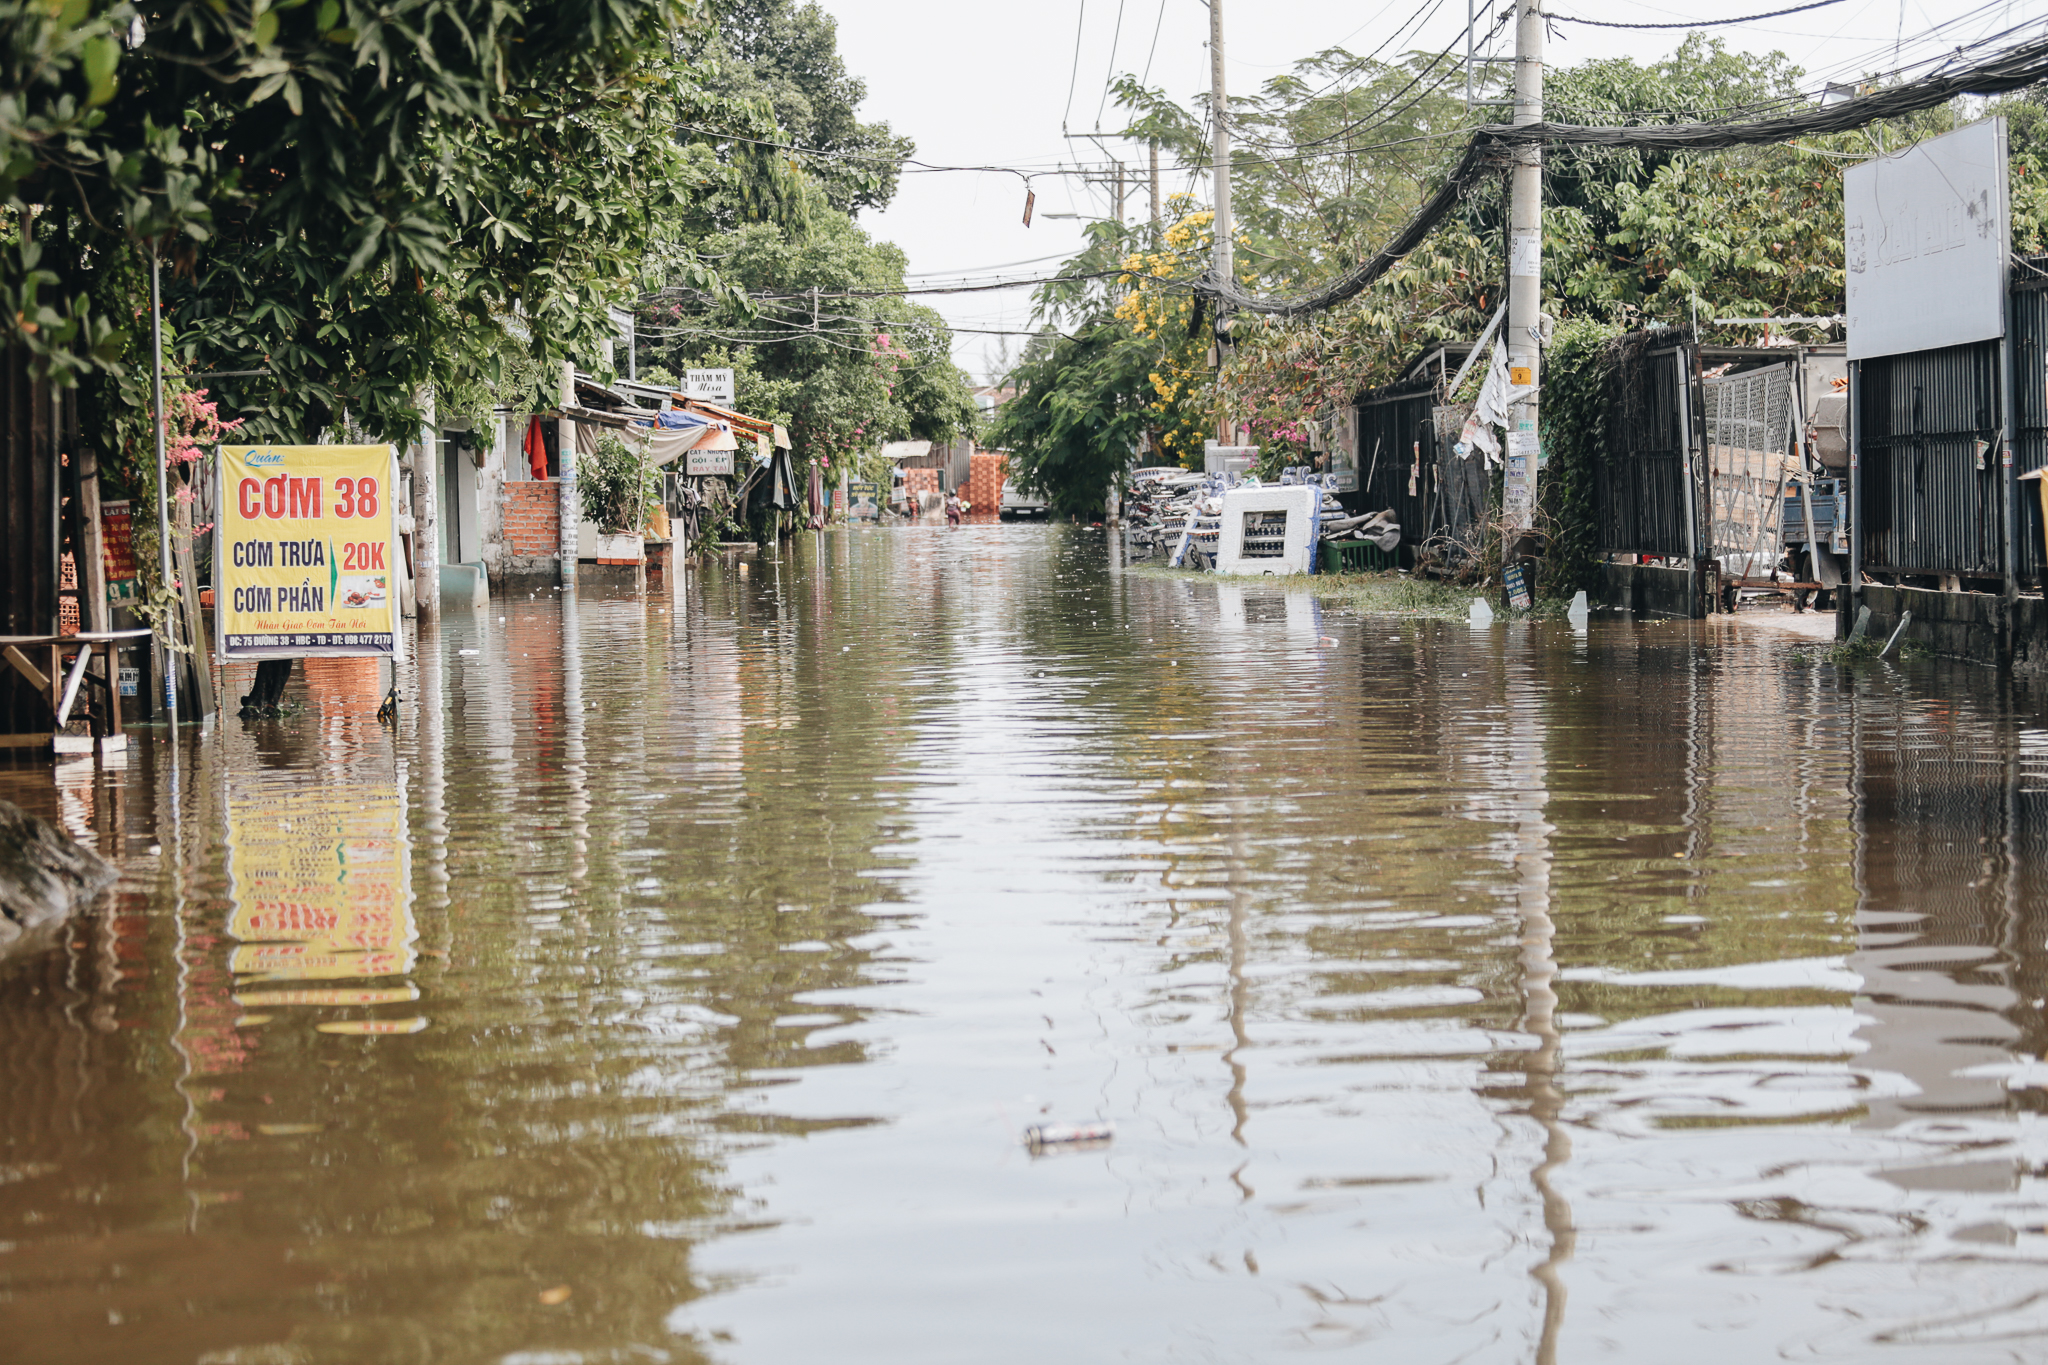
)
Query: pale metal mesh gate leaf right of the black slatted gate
[{"x": 1750, "y": 459}]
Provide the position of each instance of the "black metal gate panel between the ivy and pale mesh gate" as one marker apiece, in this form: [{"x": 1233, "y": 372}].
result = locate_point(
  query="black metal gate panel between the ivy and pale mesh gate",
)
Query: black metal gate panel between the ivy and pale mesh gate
[{"x": 1644, "y": 504}]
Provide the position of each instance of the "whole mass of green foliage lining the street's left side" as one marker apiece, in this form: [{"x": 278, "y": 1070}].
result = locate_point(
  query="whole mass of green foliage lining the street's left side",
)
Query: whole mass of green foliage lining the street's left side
[{"x": 361, "y": 206}]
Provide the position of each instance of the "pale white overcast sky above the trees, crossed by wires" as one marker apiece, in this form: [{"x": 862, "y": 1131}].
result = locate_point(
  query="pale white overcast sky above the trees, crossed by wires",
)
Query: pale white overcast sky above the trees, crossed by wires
[{"x": 990, "y": 87}]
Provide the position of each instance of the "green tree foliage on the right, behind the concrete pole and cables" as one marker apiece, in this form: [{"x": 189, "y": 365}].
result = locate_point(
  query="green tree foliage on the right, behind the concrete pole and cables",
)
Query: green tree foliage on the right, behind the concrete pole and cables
[{"x": 1334, "y": 157}]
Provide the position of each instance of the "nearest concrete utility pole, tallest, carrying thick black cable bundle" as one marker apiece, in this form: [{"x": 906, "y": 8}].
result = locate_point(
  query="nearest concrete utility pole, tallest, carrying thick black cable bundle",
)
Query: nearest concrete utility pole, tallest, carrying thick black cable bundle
[{"x": 1525, "y": 279}]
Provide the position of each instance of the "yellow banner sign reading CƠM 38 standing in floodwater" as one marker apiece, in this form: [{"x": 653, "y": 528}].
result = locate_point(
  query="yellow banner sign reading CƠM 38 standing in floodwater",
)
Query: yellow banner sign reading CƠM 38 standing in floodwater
[{"x": 306, "y": 556}]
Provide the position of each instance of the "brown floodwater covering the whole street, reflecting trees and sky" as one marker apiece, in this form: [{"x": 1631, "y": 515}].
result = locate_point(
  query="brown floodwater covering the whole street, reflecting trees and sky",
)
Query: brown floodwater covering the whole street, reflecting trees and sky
[{"x": 679, "y": 977}]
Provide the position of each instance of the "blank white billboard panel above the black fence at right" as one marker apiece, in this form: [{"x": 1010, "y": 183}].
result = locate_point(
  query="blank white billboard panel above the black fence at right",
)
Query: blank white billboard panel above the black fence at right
[{"x": 1926, "y": 243}]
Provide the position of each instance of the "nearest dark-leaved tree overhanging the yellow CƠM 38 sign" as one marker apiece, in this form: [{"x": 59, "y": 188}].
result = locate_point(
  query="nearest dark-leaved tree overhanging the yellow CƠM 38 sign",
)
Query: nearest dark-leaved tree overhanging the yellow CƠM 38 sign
[{"x": 359, "y": 206}]
